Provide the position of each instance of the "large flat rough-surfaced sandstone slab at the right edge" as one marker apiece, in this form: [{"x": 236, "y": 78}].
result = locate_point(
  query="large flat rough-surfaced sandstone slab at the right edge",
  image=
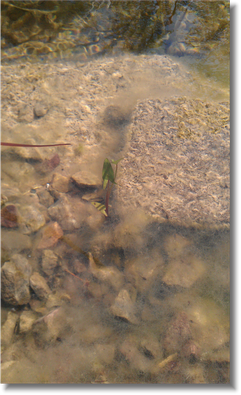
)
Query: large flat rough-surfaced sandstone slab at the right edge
[{"x": 176, "y": 164}]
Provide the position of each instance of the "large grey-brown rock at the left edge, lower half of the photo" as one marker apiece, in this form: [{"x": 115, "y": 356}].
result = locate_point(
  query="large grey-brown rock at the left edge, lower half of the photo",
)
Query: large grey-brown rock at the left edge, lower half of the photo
[{"x": 14, "y": 280}]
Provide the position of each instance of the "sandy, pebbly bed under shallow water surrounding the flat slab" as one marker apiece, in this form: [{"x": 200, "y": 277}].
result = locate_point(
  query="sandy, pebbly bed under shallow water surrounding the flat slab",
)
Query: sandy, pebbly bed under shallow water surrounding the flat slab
[{"x": 150, "y": 304}]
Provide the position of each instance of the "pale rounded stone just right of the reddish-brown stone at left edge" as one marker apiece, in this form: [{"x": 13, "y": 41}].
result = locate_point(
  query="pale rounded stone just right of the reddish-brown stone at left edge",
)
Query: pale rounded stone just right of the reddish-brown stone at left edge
[{"x": 30, "y": 219}]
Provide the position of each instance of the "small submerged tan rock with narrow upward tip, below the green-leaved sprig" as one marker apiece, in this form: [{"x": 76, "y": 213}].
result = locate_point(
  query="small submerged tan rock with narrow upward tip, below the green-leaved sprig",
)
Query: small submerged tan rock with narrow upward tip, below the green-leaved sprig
[{"x": 108, "y": 274}]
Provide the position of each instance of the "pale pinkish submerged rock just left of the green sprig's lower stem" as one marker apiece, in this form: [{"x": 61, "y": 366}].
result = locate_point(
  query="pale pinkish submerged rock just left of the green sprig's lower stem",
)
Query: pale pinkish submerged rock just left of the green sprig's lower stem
[{"x": 69, "y": 212}]
